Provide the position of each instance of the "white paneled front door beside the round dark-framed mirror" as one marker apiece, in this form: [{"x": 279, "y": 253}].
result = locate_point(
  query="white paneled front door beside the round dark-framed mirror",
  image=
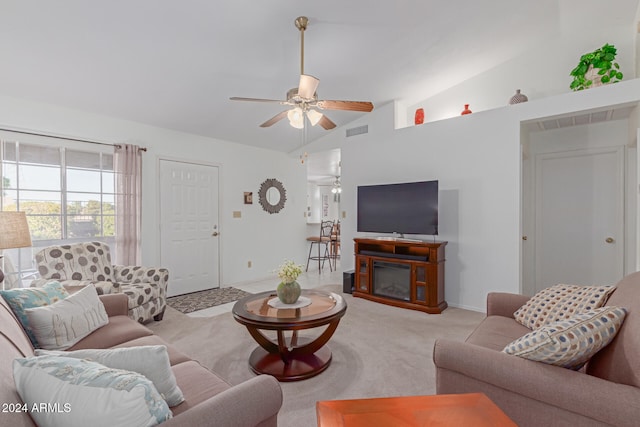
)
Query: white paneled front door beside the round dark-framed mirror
[{"x": 189, "y": 226}]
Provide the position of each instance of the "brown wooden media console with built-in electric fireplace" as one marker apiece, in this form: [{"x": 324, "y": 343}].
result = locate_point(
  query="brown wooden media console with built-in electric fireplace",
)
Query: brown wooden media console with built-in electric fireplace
[{"x": 403, "y": 273}]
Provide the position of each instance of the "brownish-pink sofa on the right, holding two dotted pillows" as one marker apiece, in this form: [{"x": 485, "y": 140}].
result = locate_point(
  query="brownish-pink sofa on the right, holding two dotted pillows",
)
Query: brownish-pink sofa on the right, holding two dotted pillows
[{"x": 604, "y": 392}]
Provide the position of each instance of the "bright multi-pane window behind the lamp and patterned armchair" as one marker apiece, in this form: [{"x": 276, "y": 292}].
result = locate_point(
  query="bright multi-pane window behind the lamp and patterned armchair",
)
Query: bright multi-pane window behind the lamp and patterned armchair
[{"x": 67, "y": 193}]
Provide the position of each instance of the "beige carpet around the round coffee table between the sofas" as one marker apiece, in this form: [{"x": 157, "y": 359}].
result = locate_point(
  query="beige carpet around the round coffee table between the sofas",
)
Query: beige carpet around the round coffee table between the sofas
[{"x": 378, "y": 351}]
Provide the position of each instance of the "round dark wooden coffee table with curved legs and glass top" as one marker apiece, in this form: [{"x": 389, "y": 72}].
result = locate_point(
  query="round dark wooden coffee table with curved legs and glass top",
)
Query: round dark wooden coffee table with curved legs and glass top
[{"x": 300, "y": 357}]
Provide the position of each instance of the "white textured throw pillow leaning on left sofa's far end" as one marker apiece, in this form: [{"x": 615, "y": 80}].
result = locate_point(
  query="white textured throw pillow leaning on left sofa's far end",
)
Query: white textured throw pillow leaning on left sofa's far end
[{"x": 62, "y": 324}]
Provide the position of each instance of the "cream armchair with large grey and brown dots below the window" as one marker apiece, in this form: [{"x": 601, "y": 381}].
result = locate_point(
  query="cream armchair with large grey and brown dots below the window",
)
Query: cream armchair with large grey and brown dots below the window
[{"x": 80, "y": 264}]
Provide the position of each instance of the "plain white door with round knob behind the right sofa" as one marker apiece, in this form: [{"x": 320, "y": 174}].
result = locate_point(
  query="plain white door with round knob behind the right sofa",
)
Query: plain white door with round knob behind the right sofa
[{"x": 579, "y": 206}]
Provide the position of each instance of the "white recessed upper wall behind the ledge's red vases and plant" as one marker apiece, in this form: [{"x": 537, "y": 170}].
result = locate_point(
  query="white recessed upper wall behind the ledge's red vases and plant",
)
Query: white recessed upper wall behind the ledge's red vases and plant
[{"x": 541, "y": 73}]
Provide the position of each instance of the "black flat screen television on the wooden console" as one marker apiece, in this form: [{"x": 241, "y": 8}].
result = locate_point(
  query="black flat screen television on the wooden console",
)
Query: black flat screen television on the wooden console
[{"x": 406, "y": 208}]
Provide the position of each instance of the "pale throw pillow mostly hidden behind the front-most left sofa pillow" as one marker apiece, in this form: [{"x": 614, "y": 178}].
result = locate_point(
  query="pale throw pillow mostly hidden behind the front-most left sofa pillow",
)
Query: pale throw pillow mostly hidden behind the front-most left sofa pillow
[{"x": 152, "y": 361}]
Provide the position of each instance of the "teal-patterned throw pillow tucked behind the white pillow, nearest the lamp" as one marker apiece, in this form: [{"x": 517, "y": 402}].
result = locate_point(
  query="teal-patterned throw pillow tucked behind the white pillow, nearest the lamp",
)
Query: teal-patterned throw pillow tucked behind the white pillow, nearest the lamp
[{"x": 21, "y": 299}]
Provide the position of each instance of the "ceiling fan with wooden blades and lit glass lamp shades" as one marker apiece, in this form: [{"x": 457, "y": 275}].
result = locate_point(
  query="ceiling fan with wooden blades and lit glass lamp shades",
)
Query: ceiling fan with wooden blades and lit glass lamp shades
[{"x": 304, "y": 99}]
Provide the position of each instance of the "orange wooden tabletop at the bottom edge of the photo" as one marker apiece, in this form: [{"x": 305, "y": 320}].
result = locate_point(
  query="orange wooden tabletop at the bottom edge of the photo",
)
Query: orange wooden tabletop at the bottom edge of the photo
[{"x": 471, "y": 409}]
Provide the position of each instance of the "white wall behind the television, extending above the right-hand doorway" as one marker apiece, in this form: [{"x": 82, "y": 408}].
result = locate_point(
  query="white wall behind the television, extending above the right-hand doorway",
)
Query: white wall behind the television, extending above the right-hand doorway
[{"x": 477, "y": 160}]
